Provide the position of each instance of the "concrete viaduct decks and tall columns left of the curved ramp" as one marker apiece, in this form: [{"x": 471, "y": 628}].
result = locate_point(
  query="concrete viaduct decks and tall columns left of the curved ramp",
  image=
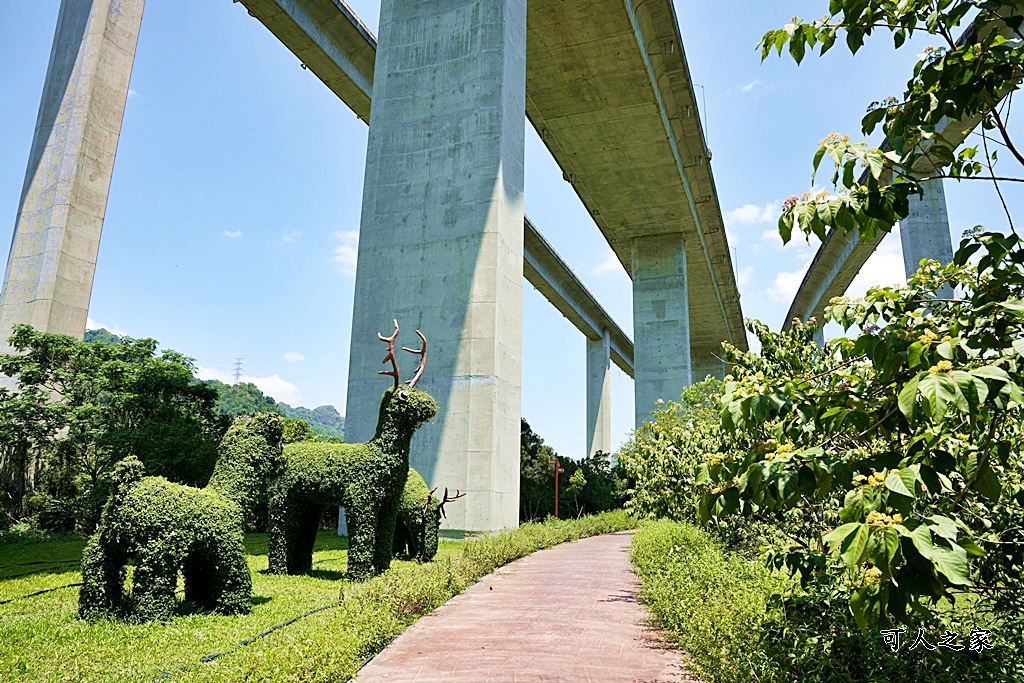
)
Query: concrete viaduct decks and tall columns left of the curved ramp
[{"x": 443, "y": 243}]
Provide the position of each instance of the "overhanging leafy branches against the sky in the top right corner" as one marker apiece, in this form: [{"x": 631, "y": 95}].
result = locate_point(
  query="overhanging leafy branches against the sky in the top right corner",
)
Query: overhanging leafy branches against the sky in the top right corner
[{"x": 964, "y": 80}]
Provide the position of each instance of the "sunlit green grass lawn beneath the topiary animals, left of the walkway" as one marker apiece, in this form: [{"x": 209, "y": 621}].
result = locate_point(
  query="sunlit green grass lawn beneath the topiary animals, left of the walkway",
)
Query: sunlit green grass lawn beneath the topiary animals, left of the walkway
[{"x": 42, "y": 641}]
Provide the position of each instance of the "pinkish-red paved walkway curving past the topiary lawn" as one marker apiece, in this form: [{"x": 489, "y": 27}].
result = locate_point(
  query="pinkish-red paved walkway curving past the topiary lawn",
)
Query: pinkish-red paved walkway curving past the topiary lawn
[{"x": 565, "y": 615}]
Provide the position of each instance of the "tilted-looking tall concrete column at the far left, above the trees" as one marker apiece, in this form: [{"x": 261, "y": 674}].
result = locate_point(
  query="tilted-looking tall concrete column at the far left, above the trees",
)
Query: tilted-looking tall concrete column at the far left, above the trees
[{"x": 53, "y": 260}]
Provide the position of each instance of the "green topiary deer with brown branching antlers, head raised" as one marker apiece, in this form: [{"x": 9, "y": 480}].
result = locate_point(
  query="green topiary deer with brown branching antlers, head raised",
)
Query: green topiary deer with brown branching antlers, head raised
[{"x": 367, "y": 480}]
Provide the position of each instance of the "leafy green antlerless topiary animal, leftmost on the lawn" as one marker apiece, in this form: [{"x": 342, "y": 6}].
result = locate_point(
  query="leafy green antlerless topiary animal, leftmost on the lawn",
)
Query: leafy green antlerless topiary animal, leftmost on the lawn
[{"x": 167, "y": 529}]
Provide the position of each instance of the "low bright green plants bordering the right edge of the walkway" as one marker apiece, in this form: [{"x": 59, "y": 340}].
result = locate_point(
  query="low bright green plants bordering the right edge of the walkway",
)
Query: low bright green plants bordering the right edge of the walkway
[{"x": 739, "y": 623}]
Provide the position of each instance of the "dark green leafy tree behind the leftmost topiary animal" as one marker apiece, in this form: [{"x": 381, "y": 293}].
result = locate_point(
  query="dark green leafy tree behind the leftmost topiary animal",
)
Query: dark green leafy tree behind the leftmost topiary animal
[{"x": 112, "y": 401}]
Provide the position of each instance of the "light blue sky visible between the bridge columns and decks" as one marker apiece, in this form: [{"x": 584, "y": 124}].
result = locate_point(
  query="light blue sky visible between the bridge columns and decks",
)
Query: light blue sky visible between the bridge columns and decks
[{"x": 234, "y": 211}]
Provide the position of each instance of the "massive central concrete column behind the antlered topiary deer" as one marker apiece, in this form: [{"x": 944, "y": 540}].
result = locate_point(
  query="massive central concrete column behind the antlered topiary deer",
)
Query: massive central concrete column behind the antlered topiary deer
[{"x": 442, "y": 241}]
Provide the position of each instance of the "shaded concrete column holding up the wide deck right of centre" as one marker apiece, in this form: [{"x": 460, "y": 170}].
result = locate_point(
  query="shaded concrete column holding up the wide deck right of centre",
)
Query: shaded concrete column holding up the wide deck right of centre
[{"x": 661, "y": 321}]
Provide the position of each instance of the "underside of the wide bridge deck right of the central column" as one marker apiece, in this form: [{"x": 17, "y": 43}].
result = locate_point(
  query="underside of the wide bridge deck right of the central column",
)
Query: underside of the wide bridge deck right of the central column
[{"x": 591, "y": 98}]
